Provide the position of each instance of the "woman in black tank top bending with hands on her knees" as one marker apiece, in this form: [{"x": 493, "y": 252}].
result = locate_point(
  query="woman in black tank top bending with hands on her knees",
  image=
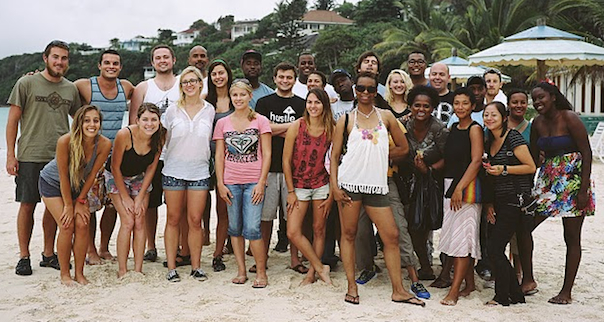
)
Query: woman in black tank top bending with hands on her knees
[{"x": 128, "y": 179}]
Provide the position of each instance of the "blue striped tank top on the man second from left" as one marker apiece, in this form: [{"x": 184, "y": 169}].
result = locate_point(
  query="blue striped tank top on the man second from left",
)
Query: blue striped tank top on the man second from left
[{"x": 112, "y": 109}]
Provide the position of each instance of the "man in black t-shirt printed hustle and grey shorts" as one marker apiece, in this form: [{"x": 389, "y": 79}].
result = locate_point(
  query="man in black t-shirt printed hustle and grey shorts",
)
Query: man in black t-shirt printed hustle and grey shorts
[{"x": 281, "y": 109}]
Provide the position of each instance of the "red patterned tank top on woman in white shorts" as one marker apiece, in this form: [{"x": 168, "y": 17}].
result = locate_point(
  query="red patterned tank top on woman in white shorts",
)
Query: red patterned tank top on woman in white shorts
[{"x": 308, "y": 160}]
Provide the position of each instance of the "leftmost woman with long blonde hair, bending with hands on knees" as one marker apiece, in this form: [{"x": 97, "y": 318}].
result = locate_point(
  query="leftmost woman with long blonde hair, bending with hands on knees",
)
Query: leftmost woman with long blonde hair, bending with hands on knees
[{"x": 68, "y": 178}]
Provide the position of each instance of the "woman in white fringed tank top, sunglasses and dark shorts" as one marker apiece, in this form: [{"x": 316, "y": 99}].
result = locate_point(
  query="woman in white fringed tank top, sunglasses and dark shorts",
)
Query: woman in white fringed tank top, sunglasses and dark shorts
[{"x": 361, "y": 181}]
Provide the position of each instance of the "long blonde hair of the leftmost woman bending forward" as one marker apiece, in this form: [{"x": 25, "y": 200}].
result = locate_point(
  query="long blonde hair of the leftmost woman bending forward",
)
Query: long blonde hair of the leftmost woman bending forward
[{"x": 77, "y": 157}]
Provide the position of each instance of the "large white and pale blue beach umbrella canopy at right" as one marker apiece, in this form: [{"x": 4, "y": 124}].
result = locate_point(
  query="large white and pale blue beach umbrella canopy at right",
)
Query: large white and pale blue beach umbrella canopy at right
[{"x": 541, "y": 46}]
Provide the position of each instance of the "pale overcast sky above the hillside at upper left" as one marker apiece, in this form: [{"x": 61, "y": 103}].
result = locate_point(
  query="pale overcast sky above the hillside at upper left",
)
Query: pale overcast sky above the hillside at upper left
[{"x": 28, "y": 25}]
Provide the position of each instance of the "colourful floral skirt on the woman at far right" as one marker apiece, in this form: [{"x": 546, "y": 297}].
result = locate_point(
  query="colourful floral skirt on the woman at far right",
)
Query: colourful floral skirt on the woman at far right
[{"x": 557, "y": 186}]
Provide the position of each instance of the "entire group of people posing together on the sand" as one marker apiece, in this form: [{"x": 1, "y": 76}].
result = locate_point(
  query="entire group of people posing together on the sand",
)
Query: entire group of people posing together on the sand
[{"x": 330, "y": 157}]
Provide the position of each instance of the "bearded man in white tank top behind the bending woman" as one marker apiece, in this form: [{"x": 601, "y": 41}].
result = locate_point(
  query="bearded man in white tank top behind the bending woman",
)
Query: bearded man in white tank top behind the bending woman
[{"x": 162, "y": 90}]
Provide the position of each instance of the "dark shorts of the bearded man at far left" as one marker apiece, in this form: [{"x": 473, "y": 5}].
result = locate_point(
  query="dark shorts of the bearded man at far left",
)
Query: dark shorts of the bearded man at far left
[{"x": 27, "y": 182}]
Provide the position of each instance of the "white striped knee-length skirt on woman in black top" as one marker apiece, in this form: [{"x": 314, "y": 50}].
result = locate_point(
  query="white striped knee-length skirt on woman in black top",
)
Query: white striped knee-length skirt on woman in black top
[{"x": 460, "y": 235}]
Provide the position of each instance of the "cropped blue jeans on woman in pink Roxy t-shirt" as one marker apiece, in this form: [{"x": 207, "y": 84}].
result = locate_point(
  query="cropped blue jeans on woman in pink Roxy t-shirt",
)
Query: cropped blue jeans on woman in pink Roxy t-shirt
[{"x": 244, "y": 217}]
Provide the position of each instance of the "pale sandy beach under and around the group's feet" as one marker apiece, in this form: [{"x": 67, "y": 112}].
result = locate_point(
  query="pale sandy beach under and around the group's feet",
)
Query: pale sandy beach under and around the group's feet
[{"x": 150, "y": 297}]
